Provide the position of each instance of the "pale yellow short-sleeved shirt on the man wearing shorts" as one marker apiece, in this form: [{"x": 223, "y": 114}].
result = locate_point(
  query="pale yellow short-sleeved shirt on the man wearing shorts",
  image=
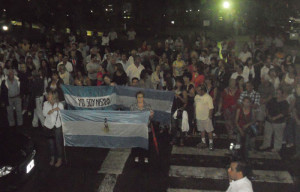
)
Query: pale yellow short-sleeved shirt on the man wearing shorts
[{"x": 203, "y": 104}]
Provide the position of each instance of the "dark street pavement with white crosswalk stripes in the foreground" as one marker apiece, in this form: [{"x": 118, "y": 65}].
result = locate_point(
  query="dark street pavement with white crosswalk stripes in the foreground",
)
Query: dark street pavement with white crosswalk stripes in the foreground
[{"x": 175, "y": 169}]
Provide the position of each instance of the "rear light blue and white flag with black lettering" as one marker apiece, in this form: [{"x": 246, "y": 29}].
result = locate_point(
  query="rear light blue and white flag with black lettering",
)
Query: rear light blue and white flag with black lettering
[{"x": 118, "y": 97}]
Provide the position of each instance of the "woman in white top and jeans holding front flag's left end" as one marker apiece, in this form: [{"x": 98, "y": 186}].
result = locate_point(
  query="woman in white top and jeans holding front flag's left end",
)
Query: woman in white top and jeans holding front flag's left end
[{"x": 52, "y": 122}]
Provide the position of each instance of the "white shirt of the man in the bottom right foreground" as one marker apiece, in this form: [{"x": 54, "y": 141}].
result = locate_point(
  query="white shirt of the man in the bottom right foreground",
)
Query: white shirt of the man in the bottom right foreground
[{"x": 241, "y": 185}]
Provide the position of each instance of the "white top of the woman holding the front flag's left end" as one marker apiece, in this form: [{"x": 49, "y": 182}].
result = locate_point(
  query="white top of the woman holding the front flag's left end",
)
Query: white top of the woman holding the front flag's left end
[{"x": 54, "y": 118}]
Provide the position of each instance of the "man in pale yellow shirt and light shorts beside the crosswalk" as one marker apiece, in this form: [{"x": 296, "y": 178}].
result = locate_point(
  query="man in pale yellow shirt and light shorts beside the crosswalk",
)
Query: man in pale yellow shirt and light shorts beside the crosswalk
[{"x": 204, "y": 110}]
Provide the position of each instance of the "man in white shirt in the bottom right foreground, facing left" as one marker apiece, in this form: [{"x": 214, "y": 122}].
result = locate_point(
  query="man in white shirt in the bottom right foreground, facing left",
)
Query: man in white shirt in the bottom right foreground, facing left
[{"x": 238, "y": 181}]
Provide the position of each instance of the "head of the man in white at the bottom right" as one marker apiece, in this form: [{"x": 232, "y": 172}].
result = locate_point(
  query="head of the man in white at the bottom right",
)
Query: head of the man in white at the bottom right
[{"x": 237, "y": 170}]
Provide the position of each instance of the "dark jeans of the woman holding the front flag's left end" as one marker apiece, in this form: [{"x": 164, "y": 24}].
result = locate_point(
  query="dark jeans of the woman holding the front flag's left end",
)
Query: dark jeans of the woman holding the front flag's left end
[{"x": 56, "y": 143}]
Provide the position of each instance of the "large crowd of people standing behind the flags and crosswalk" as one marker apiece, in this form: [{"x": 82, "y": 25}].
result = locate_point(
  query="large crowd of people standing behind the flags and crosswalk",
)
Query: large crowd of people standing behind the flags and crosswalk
[{"x": 256, "y": 90}]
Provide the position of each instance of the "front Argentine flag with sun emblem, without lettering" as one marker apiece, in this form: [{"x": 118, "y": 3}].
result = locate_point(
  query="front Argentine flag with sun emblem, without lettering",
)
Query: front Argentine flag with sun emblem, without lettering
[{"x": 86, "y": 128}]
